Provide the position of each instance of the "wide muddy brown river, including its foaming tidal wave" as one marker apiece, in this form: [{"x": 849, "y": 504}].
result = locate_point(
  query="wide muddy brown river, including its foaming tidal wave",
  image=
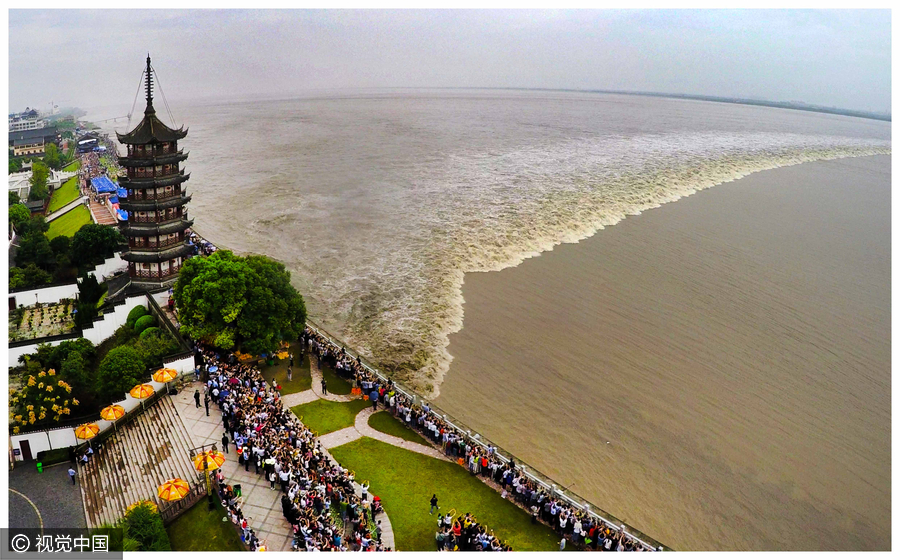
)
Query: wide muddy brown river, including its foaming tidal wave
[{"x": 381, "y": 202}]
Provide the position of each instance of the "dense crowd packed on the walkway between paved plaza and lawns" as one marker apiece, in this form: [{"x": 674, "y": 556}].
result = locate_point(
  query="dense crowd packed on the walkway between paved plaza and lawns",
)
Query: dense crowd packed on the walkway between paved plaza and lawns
[{"x": 318, "y": 498}]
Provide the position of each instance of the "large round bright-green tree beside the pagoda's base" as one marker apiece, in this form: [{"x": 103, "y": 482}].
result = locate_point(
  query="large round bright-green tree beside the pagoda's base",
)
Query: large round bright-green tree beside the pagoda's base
[{"x": 239, "y": 302}]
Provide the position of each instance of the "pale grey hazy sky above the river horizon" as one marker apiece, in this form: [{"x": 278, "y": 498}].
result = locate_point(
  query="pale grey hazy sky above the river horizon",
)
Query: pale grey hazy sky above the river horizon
[{"x": 94, "y": 58}]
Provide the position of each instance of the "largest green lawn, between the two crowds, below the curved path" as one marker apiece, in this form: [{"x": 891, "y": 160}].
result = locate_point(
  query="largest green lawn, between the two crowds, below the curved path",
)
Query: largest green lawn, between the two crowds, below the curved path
[{"x": 405, "y": 481}]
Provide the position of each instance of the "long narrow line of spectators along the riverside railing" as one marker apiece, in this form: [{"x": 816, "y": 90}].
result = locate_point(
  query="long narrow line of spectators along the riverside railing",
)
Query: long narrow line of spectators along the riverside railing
[{"x": 574, "y": 525}]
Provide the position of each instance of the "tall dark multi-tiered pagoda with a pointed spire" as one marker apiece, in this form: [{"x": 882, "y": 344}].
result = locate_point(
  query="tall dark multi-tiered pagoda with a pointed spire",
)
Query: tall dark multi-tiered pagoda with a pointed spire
[{"x": 154, "y": 200}]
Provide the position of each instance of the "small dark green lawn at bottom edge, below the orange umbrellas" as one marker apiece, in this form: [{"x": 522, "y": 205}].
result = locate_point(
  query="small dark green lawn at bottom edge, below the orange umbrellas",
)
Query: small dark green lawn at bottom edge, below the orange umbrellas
[{"x": 201, "y": 529}]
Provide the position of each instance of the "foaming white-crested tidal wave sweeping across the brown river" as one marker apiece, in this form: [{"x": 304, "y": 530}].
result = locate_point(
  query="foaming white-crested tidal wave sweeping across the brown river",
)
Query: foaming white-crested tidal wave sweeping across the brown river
[{"x": 500, "y": 209}]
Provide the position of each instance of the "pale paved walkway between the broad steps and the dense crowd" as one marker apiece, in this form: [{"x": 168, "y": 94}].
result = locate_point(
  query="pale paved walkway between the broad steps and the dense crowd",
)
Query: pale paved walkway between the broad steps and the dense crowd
[{"x": 261, "y": 505}]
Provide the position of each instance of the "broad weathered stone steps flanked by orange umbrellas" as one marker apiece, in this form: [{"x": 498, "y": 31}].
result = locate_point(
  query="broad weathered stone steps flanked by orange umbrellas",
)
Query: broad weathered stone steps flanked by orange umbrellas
[{"x": 131, "y": 464}]
